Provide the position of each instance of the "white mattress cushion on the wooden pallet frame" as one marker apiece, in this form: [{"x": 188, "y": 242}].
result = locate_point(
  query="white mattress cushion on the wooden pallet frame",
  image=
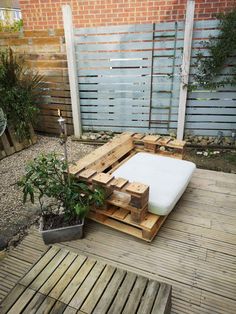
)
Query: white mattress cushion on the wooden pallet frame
[{"x": 167, "y": 178}]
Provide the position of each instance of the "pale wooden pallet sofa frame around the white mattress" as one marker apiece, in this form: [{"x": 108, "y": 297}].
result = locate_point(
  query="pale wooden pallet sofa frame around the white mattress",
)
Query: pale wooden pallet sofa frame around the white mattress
[{"x": 126, "y": 207}]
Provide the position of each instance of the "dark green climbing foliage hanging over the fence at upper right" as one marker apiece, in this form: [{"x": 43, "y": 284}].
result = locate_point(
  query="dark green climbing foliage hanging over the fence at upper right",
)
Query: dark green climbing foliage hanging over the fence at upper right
[{"x": 221, "y": 48}]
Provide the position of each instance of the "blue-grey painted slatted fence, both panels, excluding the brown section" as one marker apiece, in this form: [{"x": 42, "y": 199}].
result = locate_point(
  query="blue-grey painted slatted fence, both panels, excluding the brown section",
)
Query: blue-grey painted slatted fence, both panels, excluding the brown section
[{"x": 129, "y": 78}]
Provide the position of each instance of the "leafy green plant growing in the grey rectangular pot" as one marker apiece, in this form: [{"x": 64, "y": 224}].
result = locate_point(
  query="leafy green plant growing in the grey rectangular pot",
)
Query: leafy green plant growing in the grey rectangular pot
[{"x": 46, "y": 178}]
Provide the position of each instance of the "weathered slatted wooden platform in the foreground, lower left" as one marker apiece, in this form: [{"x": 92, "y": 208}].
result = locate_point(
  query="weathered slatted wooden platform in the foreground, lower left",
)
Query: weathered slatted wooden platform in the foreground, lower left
[{"x": 65, "y": 282}]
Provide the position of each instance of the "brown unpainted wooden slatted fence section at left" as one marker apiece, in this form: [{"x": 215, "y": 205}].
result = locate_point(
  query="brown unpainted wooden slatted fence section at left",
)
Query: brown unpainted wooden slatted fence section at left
[{"x": 45, "y": 52}]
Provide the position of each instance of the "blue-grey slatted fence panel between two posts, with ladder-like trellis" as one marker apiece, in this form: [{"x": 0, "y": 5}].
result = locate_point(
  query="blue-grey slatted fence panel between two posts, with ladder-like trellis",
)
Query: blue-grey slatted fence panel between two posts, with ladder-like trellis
[{"x": 128, "y": 76}]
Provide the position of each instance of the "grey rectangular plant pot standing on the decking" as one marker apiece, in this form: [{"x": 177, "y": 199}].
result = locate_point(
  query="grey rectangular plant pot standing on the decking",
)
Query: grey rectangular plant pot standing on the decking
[{"x": 61, "y": 234}]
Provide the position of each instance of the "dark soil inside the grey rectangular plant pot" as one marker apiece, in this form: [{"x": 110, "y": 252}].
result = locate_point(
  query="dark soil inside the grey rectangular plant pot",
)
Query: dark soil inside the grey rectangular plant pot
[{"x": 54, "y": 221}]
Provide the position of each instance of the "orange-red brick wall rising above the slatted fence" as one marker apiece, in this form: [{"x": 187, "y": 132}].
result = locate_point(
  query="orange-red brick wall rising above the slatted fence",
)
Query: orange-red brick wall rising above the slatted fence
[{"x": 44, "y": 14}]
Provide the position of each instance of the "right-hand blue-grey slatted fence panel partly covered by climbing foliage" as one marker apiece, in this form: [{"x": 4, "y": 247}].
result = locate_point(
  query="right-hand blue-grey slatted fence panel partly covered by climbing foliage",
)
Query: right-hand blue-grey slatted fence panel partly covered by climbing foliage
[{"x": 210, "y": 111}]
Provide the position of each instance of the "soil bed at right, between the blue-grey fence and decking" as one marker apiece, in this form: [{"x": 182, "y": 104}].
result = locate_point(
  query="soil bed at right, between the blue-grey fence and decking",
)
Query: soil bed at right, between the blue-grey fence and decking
[{"x": 224, "y": 161}]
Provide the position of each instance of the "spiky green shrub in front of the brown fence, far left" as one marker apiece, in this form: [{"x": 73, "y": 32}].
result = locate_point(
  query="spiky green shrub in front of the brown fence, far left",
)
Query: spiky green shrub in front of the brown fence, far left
[{"x": 19, "y": 90}]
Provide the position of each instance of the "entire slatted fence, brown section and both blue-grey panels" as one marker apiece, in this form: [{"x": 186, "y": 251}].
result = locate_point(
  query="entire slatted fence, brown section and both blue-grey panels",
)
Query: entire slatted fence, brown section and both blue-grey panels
[{"x": 129, "y": 78}]
